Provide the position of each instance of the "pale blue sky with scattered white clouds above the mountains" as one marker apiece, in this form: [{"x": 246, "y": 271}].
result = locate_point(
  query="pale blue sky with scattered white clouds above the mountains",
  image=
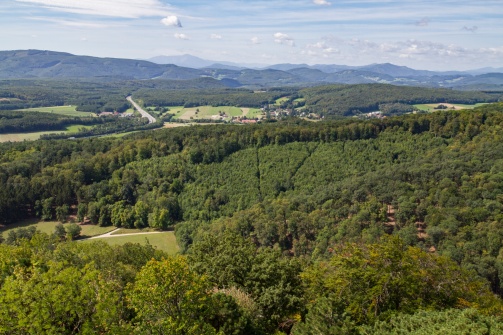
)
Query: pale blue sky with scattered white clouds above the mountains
[{"x": 421, "y": 34}]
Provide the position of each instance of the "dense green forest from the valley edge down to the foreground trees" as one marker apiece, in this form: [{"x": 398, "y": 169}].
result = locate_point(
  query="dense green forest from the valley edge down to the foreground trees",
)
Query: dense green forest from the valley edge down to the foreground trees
[{"x": 350, "y": 226}]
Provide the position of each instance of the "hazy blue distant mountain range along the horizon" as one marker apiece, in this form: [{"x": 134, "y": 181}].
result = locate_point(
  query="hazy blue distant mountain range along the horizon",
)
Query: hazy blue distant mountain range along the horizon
[{"x": 51, "y": 64}]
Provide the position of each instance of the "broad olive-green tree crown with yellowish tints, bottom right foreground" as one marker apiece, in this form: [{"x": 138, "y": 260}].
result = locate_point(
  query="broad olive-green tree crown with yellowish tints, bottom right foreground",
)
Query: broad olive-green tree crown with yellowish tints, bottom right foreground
[{"x": 370, "y": 282}]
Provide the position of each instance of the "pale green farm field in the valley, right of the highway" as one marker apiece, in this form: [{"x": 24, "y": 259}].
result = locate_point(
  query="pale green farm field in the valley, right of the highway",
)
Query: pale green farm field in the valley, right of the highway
[{"x": 210, "y": 112}]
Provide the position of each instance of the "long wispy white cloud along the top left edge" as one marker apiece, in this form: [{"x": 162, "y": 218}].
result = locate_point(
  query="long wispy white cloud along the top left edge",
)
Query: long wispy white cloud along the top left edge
[{"x": 114, "y": 8}]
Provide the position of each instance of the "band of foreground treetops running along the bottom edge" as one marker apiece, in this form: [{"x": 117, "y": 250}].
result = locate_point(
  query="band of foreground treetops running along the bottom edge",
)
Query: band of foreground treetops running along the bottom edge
[{"x": 51, "y": 287}]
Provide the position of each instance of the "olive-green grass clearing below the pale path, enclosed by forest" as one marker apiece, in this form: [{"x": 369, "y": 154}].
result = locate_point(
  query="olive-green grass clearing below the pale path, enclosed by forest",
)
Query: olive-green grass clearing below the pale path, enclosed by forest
[{"x": 163, "y": 241}]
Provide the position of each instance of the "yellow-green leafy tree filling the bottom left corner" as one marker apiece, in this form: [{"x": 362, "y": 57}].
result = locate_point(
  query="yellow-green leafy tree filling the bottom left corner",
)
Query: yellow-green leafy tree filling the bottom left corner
[{"x": 61, "y": 300}]
